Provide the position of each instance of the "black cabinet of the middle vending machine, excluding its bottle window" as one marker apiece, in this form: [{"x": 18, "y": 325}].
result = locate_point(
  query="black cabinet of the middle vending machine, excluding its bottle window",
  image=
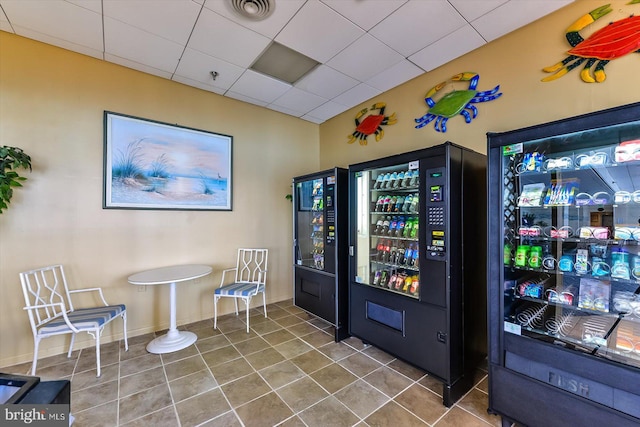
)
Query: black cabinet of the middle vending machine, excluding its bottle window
[{"x": 441, "y": 329}]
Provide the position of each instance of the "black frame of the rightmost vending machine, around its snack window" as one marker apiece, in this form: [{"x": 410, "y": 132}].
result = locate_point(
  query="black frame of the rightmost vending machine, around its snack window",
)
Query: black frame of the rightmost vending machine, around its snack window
[{"x": 535, "y": 381}]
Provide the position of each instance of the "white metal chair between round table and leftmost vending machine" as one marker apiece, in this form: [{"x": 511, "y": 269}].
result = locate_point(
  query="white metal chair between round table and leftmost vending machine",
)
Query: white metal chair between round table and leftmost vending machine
[{"x": 249, "y": 280}]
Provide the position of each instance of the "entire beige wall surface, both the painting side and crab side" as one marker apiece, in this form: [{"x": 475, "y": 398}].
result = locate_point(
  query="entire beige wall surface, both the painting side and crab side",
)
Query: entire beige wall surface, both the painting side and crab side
[{"x": 51, "y": 104}]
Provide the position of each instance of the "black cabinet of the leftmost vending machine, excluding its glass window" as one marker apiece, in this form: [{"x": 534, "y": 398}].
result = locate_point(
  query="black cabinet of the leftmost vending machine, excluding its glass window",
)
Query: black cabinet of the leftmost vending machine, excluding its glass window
[{"x": 323, "y": 292}]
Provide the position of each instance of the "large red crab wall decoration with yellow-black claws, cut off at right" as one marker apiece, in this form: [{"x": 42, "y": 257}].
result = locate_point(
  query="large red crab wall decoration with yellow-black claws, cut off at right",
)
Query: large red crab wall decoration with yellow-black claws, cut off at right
[{"x": 617, "y": 39}]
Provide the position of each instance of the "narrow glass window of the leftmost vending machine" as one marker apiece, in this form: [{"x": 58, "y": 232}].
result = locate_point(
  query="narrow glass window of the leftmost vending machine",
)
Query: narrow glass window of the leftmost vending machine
[{"x": 310, "y": 220}]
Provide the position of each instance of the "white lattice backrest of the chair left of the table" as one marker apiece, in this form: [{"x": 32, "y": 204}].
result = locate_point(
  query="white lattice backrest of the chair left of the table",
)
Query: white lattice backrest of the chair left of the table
[{"x": 43, "y": 287}]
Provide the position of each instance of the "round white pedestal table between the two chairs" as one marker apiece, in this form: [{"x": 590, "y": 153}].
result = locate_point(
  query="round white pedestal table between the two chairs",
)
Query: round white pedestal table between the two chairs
[{"x": 174, "y": 339}]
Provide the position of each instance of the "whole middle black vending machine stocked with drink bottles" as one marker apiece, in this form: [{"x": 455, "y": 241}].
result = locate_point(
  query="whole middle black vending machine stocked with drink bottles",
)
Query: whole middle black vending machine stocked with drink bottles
[{"x": 417, "y": 268}]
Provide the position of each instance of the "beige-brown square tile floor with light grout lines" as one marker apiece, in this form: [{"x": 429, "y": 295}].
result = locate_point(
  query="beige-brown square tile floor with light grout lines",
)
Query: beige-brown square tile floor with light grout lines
[{"x": 287, "y": 371}]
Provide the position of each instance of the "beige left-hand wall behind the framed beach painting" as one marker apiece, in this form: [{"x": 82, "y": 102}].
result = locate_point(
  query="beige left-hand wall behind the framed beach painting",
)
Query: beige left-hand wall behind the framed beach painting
[{"x": 51, "y": 105}]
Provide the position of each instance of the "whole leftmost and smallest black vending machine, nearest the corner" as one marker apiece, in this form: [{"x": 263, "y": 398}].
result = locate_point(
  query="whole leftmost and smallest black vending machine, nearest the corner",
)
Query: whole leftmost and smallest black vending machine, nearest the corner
[{"x": 320, "y": 246}]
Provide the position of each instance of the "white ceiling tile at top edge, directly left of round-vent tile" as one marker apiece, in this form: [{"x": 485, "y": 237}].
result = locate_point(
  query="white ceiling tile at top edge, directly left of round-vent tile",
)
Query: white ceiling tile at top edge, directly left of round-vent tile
[{"x": 172, "y": 20}]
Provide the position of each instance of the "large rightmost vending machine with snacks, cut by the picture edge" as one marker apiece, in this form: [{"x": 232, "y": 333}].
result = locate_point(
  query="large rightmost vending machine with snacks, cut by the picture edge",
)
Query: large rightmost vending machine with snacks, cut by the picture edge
[{"x": 565, "y": 272}]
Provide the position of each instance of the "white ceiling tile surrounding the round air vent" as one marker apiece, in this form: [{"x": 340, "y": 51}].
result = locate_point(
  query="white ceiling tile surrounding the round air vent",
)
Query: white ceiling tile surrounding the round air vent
[{"x": 281, "y": 15}]
